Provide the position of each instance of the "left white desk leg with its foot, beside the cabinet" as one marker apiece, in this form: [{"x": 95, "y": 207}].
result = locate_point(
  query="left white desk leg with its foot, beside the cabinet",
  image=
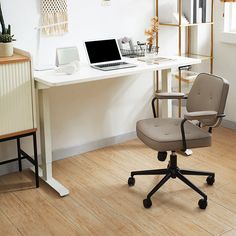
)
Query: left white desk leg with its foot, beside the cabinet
[{"x": 45, "y": 171}]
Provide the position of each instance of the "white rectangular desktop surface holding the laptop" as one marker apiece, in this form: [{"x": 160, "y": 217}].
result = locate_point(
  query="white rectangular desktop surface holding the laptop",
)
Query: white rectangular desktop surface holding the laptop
[{"x": 51, "y": 78}]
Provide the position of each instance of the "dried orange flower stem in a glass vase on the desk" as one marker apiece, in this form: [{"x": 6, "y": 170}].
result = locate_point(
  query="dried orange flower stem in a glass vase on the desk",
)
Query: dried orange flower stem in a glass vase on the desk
[{"x": 151, "y": 49}]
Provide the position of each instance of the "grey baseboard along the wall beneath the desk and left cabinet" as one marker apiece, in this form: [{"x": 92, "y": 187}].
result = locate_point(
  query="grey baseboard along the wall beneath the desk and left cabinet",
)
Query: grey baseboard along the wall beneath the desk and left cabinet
[{"x": 73, "y": 151}]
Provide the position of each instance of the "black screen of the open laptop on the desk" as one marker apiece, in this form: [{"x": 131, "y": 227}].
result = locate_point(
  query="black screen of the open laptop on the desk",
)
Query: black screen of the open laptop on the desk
[{"x": 102, "y": 51}]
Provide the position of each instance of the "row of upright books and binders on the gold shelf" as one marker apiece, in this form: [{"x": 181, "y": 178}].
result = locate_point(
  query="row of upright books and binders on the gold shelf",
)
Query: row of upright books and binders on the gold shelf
[{"x": 197, "y": 11}]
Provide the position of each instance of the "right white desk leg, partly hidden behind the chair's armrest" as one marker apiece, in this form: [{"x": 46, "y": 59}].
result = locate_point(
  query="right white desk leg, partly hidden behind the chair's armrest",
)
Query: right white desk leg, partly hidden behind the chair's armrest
[{"x": 166, "y": 84}]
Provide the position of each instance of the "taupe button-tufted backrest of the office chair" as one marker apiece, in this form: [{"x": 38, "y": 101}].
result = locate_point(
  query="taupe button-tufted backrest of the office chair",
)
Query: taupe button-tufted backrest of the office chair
[{"x": 208, "y": 93}]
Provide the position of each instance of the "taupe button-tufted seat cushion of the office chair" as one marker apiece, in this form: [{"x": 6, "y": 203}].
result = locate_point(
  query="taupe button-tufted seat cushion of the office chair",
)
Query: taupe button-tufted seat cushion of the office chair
[{"x": 165, "y": 134}]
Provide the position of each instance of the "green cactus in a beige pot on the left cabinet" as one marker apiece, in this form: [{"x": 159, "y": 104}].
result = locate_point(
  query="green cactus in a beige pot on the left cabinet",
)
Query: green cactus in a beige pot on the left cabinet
[{"x": 6, "y": 38}]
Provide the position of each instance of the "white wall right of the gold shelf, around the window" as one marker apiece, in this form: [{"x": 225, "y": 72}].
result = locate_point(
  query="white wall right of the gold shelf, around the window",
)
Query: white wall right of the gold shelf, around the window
[{"x": 224, "y": 64}]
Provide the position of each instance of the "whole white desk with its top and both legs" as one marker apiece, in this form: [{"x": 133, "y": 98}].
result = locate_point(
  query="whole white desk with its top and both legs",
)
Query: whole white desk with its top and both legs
[{"x": 48, "y": 79}]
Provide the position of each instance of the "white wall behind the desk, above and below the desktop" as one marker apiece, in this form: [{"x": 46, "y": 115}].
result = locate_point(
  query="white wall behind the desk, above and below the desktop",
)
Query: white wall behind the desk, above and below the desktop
[{"x": 92, "y": 111}]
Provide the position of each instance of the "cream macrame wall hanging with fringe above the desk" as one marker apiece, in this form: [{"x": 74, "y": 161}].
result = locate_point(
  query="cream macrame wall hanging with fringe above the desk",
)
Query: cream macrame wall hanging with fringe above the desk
[{"x": 54, "y": 17}]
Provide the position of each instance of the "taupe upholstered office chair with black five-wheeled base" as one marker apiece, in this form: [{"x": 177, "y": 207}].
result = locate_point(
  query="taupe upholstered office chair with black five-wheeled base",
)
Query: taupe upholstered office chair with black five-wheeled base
[{"x": 205, "y": 103}]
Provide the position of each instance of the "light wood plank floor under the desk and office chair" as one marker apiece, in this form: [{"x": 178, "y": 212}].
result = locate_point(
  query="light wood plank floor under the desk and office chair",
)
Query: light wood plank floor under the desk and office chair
[{"x": 101, "y": 203}]
